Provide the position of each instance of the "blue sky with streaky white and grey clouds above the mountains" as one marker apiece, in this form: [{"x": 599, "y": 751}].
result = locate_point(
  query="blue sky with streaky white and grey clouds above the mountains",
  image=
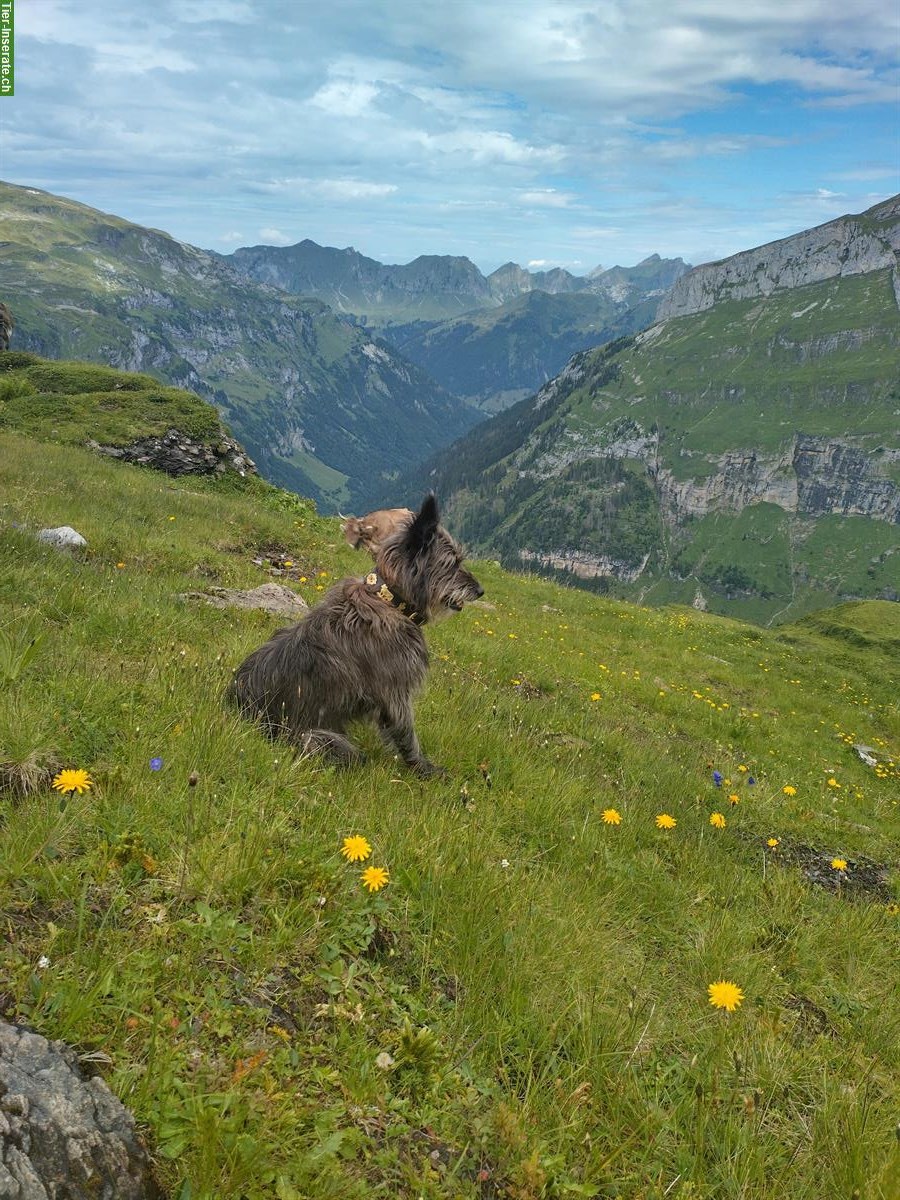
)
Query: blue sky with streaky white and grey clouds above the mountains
[{"x": 550, "y": 133}]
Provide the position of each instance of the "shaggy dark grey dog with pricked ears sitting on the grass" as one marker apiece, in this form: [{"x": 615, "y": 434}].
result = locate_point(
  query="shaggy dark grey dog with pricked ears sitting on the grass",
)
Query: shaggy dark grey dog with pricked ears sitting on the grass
[{"x": 361, "y": 653}]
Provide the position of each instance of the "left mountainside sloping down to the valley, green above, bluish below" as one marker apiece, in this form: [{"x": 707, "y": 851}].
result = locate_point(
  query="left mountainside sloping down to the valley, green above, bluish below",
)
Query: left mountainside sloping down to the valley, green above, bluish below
[{"x": 322, "y": 406}]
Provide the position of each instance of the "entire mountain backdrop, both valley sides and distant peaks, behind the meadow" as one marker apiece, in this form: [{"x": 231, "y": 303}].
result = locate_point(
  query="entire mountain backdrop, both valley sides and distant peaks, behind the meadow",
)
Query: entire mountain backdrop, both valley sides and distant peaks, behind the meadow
[{"x": 727, "y": 436}]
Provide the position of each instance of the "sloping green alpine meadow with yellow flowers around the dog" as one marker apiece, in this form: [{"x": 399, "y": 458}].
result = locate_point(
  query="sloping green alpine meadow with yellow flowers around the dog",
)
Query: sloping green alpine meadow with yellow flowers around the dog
[{"x": 213, "y": 945}]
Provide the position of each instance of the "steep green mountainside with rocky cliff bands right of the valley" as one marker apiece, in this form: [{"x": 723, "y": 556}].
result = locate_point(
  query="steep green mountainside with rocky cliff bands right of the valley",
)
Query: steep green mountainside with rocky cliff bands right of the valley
[{"x": 742, "y": 458}]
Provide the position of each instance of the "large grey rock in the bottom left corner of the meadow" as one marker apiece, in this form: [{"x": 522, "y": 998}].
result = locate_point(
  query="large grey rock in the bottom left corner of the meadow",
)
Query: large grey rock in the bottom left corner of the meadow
[{"x": 62, "y": 1135}]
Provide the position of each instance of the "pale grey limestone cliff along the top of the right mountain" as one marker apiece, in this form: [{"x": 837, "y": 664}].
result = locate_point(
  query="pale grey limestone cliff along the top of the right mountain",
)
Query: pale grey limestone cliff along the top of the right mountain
[{"x": 851, "y": 245}]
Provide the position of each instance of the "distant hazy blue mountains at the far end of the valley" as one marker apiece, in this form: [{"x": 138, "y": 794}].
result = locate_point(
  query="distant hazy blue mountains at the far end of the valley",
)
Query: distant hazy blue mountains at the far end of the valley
[{"x": 489, "y": 339}]
